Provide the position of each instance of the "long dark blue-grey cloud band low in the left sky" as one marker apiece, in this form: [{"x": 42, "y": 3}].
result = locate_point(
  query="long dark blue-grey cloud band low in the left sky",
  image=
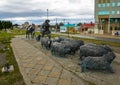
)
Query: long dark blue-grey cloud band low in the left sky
[{"x": 33, "y": 13}]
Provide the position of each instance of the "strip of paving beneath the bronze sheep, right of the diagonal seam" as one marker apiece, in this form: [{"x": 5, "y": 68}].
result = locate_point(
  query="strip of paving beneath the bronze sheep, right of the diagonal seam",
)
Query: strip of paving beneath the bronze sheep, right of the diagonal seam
[{"x": 97, "y": 77}]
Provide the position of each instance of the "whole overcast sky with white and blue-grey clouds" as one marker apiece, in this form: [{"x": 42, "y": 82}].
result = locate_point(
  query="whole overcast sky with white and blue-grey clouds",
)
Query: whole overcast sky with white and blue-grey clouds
[{"x": 35, "y": 11}]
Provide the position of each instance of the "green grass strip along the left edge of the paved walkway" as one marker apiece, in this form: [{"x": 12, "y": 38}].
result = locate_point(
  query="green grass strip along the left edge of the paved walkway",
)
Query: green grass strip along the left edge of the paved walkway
[{"x": 9, "y": 78}]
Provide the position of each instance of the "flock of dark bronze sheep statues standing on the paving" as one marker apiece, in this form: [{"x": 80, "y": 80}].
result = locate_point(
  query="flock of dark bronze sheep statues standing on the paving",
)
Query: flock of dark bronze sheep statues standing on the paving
[{"x": 92, "y": 56}]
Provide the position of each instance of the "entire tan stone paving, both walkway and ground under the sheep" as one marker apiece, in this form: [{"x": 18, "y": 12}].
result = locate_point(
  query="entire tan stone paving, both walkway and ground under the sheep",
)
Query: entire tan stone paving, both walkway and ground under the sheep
[{"x": 39, "y": 67}]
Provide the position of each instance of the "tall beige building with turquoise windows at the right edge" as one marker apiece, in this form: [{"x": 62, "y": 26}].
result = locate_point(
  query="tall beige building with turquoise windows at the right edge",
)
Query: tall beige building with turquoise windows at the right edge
[{"x": 107, "y": 16}]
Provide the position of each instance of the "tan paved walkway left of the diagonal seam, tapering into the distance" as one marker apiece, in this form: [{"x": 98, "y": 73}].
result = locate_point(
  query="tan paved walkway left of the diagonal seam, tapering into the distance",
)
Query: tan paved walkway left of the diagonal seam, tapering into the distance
[{"x": 39, "y": 69}]
